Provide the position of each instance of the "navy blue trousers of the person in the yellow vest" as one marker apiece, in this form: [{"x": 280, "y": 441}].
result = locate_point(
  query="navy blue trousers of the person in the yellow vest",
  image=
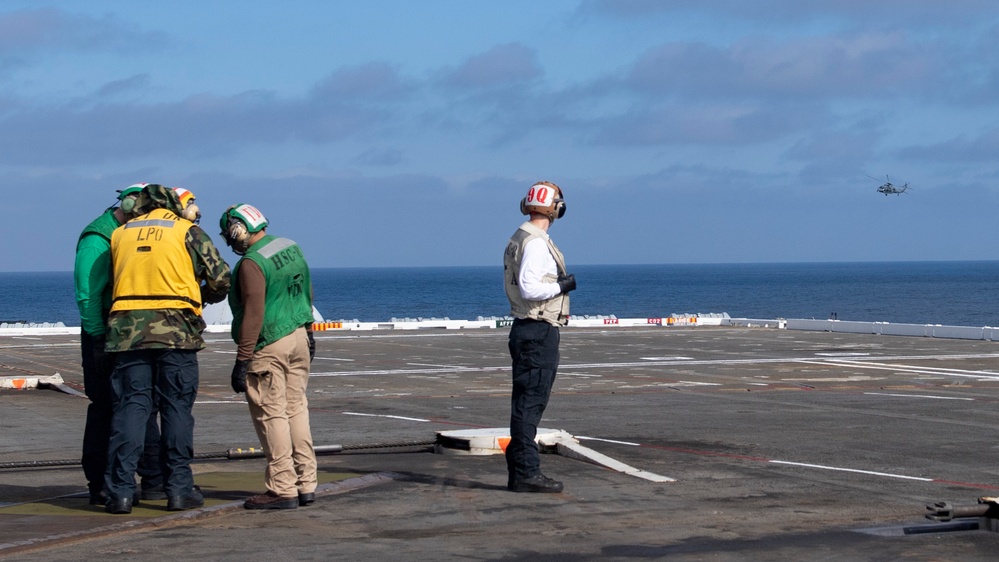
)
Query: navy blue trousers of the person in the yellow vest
[{"x": 142, "y": 381}]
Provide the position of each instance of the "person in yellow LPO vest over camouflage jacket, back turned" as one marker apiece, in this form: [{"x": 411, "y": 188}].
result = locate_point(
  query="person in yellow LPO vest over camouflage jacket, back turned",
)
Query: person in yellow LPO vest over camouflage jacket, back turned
[{"x": 164, "y": 267}]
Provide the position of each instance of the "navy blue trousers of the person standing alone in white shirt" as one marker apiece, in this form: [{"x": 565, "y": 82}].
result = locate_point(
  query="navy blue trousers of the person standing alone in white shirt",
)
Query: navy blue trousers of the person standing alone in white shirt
[{"x": 534, "y": 350}]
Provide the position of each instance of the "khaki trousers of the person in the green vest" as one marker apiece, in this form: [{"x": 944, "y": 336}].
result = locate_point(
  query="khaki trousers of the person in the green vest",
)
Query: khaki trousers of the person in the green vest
[{"x": 275, "y": 390}]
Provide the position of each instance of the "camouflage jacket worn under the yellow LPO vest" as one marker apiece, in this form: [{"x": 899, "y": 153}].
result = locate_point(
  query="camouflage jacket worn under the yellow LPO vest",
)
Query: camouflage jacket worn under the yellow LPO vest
[{"x": 174, "y": 328}]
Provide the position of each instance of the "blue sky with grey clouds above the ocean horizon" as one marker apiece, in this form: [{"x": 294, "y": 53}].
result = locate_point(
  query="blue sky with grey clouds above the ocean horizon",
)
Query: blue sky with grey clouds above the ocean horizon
[{"x": 390, "y": 133}]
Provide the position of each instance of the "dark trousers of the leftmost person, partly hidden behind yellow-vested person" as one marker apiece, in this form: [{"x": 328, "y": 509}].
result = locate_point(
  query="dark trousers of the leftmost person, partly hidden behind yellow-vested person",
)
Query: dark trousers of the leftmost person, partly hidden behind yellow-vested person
[{"x": 97, "y": 431}]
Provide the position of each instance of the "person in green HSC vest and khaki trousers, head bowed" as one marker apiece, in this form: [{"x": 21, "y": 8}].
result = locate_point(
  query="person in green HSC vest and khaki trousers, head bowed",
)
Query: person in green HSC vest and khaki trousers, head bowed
[{"x": 271, "y": 302}]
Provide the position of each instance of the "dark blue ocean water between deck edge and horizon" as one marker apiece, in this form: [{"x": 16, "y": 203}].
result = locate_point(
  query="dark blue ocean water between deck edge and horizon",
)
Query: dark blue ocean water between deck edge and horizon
[{"x": 951, "y": 293}]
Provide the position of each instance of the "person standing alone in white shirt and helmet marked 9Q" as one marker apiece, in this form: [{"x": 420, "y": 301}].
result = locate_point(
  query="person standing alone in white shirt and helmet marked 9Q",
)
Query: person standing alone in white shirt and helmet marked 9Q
[{"x": 537, "y": 286}]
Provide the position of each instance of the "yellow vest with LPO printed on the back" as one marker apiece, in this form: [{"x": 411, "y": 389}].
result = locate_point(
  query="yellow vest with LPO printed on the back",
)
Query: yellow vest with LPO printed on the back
[{"x": 152, "y": 266}]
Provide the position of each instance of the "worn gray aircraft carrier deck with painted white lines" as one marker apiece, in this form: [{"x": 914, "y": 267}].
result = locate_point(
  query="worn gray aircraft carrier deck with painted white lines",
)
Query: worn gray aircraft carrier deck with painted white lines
[{"x": 783, "y": 444}]
